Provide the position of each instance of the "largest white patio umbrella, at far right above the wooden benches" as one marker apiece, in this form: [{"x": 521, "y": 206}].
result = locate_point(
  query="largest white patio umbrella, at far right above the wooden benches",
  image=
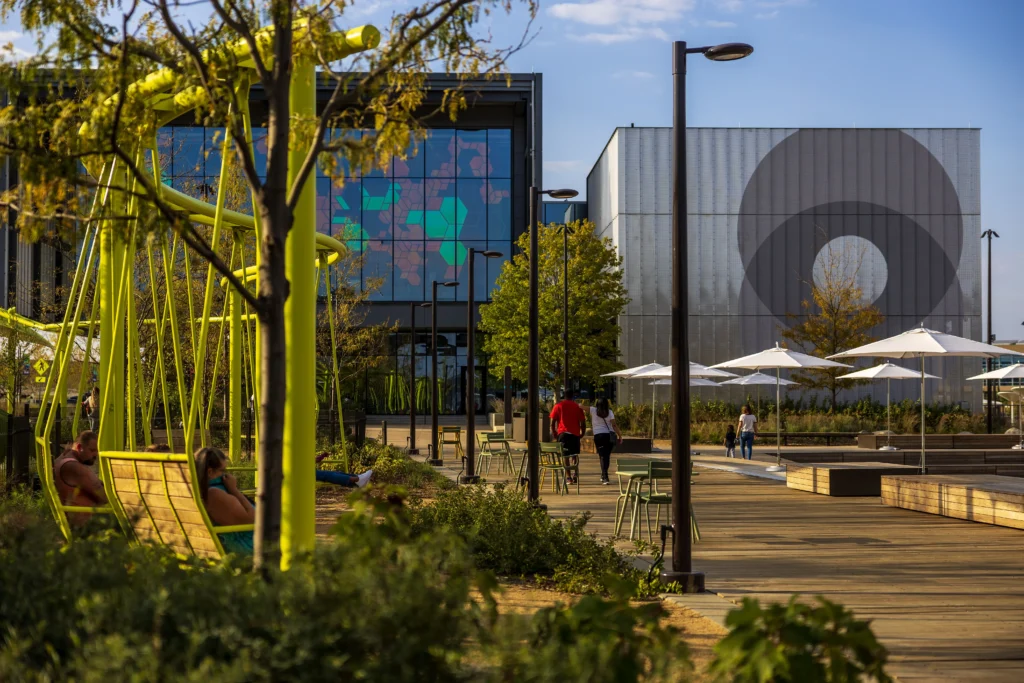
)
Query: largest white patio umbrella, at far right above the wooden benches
[{"x": 921, "y": 344}]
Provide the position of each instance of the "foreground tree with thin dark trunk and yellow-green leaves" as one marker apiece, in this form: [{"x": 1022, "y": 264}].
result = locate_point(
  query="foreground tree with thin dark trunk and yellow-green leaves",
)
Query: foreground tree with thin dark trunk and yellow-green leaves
[{"x": 91, "y": 55}]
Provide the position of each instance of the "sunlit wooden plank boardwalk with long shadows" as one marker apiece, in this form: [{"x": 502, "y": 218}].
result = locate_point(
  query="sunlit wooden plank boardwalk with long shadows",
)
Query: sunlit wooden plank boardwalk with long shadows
[{"x": 946, "y": 596}]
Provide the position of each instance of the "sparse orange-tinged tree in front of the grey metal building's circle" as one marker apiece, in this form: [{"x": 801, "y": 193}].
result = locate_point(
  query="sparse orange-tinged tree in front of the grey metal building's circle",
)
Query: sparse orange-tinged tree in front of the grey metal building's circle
[{"x": 837, "y": 318}]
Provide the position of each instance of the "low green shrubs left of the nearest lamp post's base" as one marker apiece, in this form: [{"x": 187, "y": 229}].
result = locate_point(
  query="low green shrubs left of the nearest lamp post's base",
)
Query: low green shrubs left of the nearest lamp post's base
[{"x": 508, "y": 536}]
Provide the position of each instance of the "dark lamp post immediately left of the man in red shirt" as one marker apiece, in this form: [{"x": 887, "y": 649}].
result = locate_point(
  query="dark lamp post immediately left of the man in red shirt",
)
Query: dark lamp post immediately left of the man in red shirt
[{"x": 534, "y": 366}]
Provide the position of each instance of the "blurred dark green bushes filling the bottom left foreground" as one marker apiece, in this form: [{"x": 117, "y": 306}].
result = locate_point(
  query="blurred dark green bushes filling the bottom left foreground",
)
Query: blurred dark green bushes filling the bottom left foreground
[{"x": 386, "y": 604}]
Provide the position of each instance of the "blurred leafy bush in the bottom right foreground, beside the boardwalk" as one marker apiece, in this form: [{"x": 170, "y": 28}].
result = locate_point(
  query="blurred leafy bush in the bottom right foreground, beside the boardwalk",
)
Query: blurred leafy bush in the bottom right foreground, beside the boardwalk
[{"x": 798, "y": 643}]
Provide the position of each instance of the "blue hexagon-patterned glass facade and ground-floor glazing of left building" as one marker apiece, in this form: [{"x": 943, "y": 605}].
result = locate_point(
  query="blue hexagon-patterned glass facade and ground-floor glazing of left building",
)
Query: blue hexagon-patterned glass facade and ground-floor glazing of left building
[{"x": 413, "y": 224}]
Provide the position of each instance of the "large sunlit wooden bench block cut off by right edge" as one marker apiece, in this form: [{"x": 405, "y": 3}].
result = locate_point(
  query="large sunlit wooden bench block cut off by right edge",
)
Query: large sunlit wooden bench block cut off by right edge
[{"x": 982, "y": 498}]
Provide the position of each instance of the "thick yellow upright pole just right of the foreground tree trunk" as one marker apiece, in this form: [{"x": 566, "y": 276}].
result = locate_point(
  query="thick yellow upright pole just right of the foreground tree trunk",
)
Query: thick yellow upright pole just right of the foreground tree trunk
[{"x": 298, "y": 515}]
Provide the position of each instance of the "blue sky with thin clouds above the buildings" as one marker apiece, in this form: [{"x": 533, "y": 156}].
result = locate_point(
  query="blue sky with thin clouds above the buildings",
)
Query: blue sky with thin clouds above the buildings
[{"x": 913, "y": 64}]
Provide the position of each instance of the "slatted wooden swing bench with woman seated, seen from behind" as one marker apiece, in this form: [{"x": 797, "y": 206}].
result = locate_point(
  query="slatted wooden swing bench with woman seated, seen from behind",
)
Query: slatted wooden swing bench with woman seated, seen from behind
[{"x": 156, "y": 498}]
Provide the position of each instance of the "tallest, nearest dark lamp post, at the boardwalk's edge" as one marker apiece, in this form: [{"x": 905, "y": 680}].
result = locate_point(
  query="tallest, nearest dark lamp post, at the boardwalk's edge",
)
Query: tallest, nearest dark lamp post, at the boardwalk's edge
[{"x": 682, "y": 563}]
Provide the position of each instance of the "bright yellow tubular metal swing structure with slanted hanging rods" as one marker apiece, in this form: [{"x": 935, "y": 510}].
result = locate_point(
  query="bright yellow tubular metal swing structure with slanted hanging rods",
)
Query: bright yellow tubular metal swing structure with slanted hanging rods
[{"x": 124, "y": 289}]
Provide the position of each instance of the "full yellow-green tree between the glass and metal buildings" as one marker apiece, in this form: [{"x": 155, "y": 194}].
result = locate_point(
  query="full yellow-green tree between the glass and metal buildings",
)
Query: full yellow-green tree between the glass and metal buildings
[{"x": 598, "y": 298}]
